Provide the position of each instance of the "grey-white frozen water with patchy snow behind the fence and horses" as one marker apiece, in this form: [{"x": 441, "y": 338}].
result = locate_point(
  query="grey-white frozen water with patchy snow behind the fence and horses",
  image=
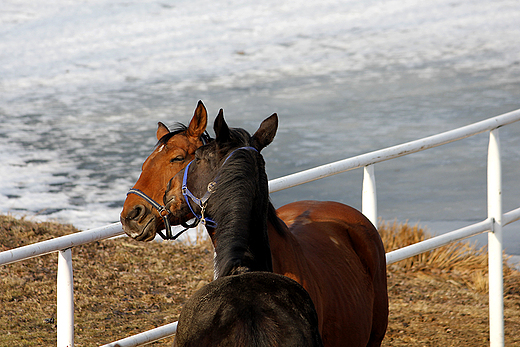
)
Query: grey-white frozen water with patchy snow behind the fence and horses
[{"x": 84, "y": 83}]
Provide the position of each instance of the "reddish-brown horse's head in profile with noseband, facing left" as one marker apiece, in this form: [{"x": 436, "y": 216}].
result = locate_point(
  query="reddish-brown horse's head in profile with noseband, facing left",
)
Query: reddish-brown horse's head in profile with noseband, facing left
[{"x": 173, "y": 152}]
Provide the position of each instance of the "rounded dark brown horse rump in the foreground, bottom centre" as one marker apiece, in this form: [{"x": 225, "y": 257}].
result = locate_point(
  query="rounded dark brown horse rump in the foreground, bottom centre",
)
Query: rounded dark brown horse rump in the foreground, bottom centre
[{"x": 251, "y": 309}]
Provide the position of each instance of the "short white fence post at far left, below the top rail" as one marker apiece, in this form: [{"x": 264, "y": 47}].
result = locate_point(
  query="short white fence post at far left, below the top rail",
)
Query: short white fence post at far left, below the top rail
[{"x": 65, "y": 300}]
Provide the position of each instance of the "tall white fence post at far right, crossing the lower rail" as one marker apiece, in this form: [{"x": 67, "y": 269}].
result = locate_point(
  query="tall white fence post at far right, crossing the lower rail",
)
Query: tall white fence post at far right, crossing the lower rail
[{"x": 496, "y": 285}]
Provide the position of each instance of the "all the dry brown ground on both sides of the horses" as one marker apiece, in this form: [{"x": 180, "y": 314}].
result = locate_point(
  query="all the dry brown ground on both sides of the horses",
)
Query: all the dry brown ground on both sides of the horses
[{"x": 122, "y": 287}]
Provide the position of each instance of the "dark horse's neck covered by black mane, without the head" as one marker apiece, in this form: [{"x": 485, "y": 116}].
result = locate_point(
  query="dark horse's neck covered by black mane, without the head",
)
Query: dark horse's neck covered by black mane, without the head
[{"x": 239, "y": 206}]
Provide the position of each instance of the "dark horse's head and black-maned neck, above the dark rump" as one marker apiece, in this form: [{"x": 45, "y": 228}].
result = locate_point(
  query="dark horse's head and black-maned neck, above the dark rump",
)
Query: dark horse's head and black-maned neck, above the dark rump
[{"x": 226, "y": 184}]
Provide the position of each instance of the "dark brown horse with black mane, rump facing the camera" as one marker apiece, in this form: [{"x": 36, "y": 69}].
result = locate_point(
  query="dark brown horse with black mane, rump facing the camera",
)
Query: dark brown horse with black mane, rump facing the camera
[{"x": 245, "y": 306}]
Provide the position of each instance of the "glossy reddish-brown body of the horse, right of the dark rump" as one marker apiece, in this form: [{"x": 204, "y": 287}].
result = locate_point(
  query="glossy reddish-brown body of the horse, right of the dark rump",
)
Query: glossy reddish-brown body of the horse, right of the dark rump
[{"x": 346, "y": 269}]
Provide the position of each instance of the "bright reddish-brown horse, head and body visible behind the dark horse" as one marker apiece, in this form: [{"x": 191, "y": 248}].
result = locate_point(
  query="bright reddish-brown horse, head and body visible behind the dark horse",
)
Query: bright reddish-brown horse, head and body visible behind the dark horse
[{"x": 324, "y": 238}]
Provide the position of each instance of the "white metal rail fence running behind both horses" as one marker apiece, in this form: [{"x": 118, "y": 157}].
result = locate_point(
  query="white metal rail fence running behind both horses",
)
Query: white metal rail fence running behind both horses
[{"x": 492, "y": 224}]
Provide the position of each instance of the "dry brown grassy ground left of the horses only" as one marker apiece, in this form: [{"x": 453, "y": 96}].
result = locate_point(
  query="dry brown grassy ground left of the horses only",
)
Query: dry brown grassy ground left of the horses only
[{"x": 121, "y": 286}]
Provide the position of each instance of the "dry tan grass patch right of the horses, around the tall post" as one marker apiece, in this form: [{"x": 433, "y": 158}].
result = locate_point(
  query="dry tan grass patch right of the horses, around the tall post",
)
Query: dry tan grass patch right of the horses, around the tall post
[{"x": 439, "y": 298}]
